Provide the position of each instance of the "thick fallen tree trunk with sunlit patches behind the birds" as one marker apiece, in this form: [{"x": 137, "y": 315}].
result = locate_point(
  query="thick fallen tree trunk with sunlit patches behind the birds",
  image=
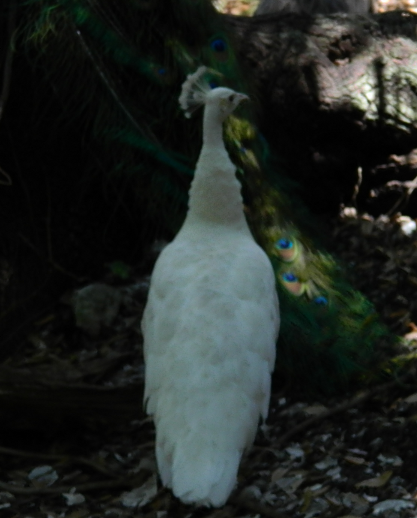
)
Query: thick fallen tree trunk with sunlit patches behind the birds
[{"x": 336, "y": 94}]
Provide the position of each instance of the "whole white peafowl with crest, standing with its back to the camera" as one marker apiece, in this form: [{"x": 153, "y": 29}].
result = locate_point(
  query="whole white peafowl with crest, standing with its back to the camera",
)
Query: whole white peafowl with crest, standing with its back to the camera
[{"x": 210, "y": 324}]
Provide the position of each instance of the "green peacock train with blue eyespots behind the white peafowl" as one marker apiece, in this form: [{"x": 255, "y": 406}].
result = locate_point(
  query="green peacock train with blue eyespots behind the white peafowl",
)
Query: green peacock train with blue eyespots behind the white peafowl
[{"x": 118, "y": 67}]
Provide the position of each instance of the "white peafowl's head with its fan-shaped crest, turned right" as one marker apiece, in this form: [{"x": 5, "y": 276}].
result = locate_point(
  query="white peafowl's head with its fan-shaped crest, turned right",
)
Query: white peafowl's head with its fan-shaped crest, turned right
[{"x": 196, "y": 91}]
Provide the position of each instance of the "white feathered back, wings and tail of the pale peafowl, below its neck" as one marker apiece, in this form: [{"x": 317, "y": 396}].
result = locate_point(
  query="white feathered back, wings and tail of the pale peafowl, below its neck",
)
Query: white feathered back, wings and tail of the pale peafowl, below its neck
[{"x": 210, "y": 328}]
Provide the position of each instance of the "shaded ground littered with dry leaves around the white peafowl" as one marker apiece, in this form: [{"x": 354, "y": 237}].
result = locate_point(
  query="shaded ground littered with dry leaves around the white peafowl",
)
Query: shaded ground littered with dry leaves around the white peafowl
[{"x": 352, "y": 455}]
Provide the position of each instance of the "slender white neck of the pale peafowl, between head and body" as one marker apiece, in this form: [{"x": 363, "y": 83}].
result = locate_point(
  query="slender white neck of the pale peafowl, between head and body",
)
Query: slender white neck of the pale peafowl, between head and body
[{"x": 215, "y": 197}]
